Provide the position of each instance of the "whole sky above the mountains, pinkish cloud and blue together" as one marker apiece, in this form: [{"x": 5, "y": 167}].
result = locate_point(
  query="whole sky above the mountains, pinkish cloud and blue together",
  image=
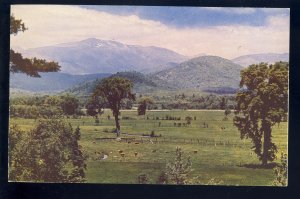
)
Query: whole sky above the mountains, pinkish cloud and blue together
[{"x": 190, "y": 31}]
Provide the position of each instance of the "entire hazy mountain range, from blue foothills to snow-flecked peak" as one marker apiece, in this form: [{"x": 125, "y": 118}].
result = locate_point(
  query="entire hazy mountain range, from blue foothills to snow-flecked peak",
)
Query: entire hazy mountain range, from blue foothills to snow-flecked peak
[{"x": 149, "y": 67}]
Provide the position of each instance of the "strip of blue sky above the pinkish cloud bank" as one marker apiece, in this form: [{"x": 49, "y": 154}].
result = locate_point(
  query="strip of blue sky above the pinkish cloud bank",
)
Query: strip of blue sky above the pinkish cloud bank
[{"x": 196, "y": 16}]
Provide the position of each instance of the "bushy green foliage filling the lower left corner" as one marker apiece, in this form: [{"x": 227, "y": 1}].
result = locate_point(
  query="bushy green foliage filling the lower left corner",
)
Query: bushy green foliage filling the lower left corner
[{"x": 48, "y": 153}]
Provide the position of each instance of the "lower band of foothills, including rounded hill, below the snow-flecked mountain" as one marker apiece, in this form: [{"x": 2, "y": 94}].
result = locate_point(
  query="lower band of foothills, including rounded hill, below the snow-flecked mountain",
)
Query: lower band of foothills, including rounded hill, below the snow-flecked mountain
[{"x": 197, "y": 73}]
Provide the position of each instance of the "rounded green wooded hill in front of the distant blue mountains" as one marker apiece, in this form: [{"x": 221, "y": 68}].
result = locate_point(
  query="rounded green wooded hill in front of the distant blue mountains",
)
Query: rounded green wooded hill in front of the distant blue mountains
[{"x": 202, "y": 72}]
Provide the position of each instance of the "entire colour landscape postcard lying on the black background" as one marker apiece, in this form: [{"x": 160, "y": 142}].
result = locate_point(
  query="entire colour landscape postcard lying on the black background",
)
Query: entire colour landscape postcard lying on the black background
[{"x": 148, "y": 95}]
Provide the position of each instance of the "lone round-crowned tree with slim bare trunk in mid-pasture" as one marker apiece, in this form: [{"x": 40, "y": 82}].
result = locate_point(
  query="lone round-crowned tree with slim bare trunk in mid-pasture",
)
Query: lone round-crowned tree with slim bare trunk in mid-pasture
[{"x": 113, "y": 90}]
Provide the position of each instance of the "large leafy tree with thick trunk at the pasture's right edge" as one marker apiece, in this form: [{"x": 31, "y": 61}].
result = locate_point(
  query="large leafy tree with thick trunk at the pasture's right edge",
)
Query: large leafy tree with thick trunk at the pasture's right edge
[{"x": 261, "y": 103}]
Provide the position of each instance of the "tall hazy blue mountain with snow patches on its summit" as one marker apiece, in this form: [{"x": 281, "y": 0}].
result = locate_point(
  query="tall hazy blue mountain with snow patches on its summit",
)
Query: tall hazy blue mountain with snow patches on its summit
[{"x": 102, "y": 56}]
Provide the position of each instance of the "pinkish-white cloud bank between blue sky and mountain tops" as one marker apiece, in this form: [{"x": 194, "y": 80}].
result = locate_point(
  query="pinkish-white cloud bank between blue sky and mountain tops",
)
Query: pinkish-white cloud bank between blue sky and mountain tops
[{"x": 49, "y": 25}]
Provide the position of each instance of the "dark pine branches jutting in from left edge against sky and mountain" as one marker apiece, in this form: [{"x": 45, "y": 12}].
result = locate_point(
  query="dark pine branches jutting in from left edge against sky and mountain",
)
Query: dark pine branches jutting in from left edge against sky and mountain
[{"x": 32, "y": 66}]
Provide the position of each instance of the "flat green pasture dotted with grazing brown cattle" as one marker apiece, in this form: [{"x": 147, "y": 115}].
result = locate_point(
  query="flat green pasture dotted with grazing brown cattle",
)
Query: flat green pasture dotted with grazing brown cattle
[{"x": 216, "y": 151}]
